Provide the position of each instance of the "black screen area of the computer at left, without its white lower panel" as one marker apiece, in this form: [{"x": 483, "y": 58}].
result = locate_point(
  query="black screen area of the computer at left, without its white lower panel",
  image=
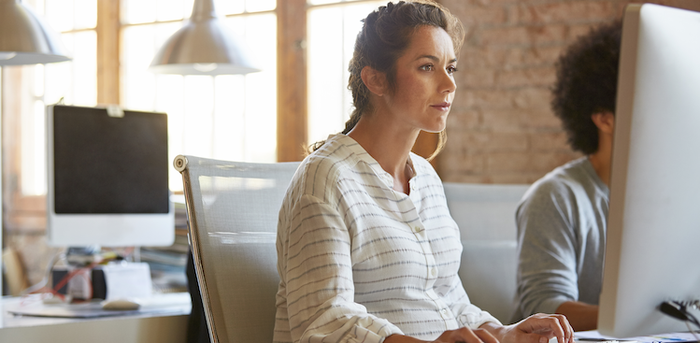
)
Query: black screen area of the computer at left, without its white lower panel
[{"x": 109, "y": 165}]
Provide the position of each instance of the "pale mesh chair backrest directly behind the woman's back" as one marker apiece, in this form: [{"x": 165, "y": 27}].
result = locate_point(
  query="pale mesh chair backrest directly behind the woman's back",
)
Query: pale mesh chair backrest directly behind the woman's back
[{"x": 232, "y": 212}]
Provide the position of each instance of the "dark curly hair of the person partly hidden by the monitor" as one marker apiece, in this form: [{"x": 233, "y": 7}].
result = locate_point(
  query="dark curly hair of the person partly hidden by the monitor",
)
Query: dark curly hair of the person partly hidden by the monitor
[{"x": 587, "y": 83}]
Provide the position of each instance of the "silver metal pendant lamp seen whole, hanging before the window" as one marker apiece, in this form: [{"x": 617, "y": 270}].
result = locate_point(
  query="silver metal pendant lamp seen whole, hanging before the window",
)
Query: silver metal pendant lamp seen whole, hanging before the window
[{"x": 203, "y": 46}]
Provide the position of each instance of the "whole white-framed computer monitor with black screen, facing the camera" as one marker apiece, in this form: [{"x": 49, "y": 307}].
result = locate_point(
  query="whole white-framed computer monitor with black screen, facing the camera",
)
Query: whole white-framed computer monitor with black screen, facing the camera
[{"x": 107, "y": 178}]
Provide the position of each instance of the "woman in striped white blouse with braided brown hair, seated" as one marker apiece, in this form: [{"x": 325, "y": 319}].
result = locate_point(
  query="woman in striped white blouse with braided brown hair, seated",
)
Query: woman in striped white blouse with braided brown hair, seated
[{"x": 367, "y": 250}]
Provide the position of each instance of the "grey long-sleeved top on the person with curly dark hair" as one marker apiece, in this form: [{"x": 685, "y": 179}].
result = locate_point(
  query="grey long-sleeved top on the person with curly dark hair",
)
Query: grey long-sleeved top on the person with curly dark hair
[{"x": 561, "y": 223}]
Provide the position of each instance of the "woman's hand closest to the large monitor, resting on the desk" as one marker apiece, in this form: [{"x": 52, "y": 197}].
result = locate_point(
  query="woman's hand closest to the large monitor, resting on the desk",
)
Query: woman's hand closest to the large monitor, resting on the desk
[{"x": 538, "y": 328}]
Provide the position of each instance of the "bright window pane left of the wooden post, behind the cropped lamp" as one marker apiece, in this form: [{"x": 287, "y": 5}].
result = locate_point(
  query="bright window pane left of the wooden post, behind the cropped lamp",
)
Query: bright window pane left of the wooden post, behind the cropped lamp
[{"x": 73, "y": 82}]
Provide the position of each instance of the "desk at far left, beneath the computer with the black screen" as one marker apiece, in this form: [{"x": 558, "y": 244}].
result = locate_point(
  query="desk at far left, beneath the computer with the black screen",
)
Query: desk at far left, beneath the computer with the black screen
[{"x": 170, "y": 327}]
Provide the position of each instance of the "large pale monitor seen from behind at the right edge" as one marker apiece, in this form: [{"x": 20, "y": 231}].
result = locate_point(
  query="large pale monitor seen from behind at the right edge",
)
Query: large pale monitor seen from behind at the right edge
[{"x": 653, "y": 238}]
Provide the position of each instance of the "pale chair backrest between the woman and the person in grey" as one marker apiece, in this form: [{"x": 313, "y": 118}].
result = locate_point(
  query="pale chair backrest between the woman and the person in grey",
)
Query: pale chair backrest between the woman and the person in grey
[{"x": 485, "y": 214}]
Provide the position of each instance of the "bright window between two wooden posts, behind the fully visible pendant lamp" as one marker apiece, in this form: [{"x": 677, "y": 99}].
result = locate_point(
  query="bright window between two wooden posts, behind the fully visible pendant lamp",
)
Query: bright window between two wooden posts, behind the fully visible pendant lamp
[{"x": 230, "y": 117}]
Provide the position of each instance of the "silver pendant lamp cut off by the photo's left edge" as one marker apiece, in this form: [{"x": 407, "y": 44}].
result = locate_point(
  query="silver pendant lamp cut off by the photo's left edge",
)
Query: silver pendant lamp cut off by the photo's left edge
[{"x": 25, "y": 38}]
